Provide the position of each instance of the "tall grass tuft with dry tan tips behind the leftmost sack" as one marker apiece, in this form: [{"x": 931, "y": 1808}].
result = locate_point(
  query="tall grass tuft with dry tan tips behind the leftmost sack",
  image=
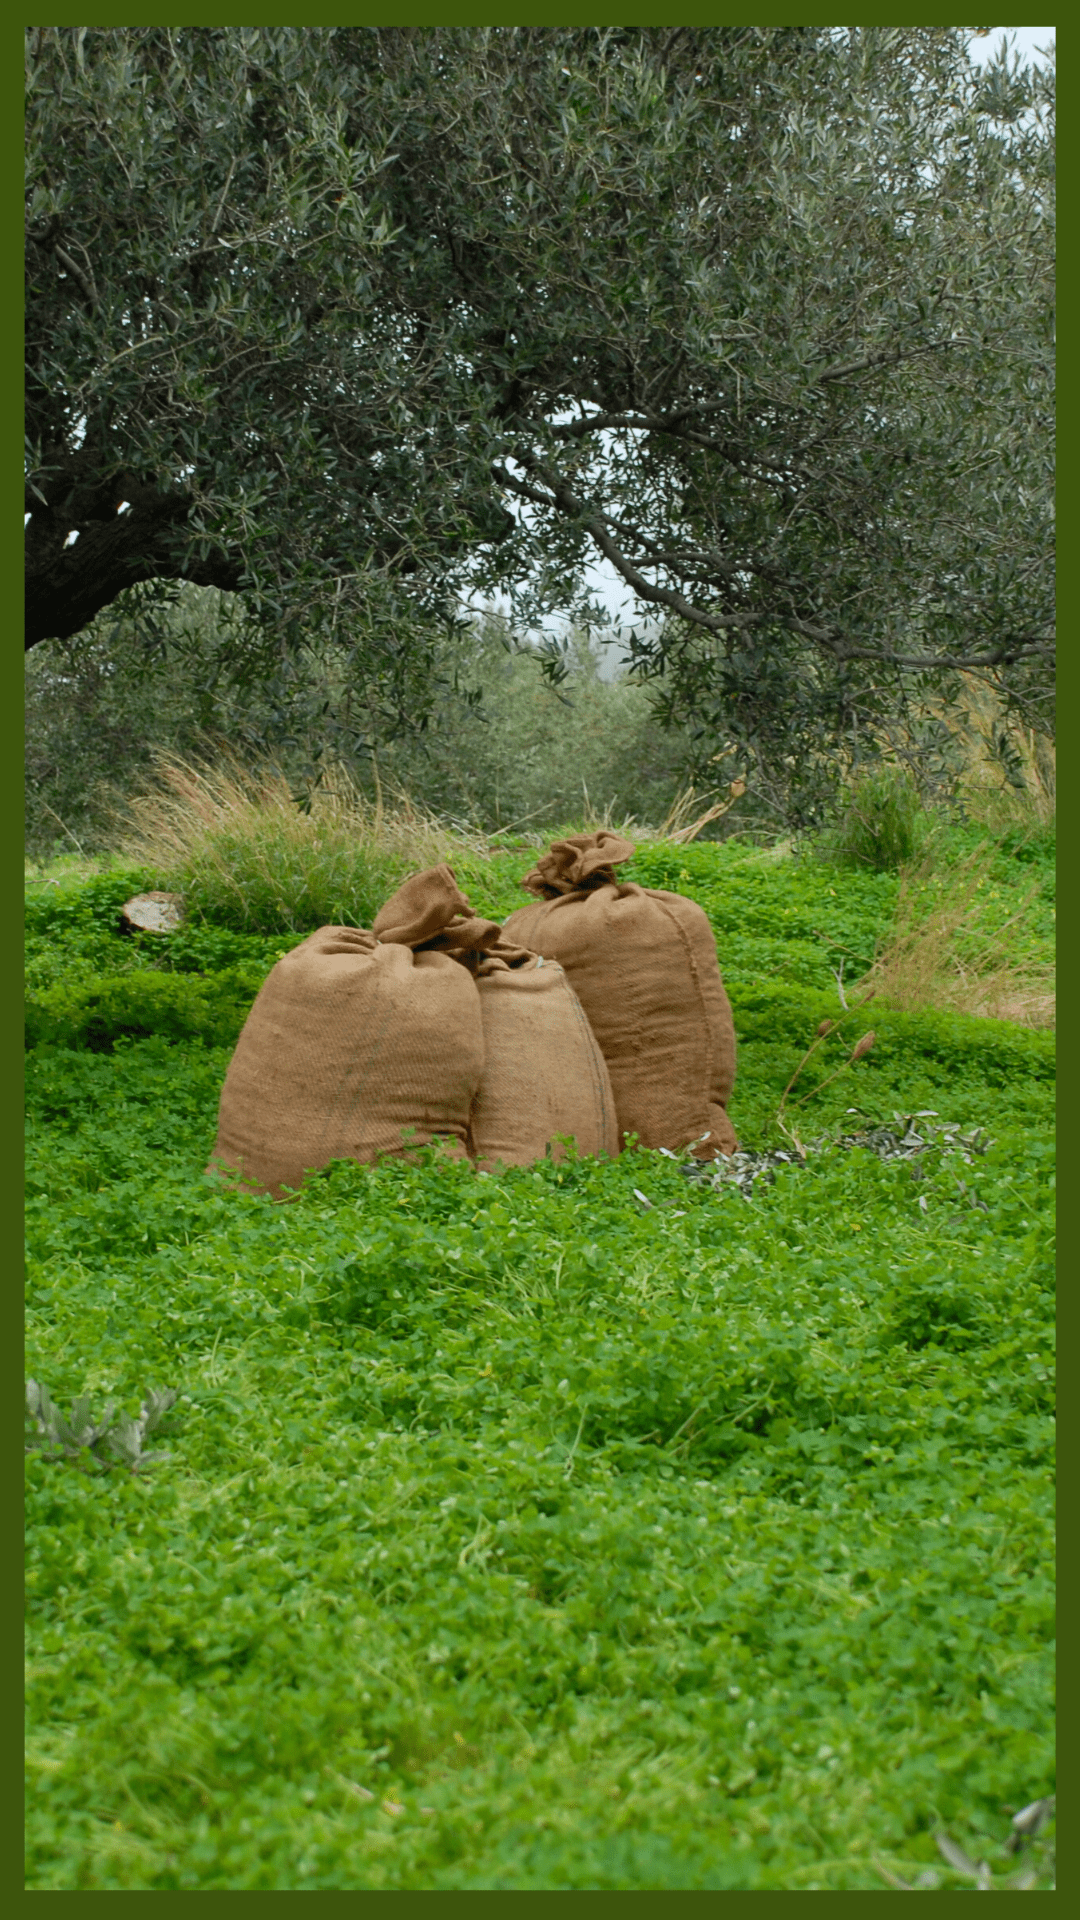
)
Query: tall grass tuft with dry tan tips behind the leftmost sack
[{"x": 245, "y": 853}]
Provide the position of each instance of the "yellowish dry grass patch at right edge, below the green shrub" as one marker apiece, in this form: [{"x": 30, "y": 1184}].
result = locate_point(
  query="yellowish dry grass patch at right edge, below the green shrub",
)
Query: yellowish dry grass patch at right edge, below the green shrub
[{"x": 939, "y": 957}]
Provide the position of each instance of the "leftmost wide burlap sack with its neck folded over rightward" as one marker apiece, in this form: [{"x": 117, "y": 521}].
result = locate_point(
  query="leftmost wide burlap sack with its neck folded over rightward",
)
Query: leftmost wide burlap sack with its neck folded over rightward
[{"x": 360, "y": 1044}]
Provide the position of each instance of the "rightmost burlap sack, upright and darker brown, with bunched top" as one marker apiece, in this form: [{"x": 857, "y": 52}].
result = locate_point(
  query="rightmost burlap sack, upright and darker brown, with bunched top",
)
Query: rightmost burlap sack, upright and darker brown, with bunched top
[{"x": 645, "y": 969}]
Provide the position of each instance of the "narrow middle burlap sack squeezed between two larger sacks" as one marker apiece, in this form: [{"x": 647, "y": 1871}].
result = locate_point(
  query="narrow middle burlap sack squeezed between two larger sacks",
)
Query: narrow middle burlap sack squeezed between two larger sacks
[{"x": 545, "y": 1074}]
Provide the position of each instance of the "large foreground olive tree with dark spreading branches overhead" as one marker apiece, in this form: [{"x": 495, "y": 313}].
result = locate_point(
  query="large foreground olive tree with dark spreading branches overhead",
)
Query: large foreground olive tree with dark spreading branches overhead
[{"x": 362, "y": 322}]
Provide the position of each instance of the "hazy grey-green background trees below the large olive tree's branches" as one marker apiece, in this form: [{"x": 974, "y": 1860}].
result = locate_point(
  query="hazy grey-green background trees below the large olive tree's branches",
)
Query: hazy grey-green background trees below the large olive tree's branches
[{"x": 503, "y": 746}]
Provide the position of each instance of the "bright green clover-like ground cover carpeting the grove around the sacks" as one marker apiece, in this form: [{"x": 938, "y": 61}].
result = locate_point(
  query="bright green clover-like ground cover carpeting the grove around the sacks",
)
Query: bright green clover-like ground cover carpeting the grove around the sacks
[{"x": 516, "y": 1535}]
